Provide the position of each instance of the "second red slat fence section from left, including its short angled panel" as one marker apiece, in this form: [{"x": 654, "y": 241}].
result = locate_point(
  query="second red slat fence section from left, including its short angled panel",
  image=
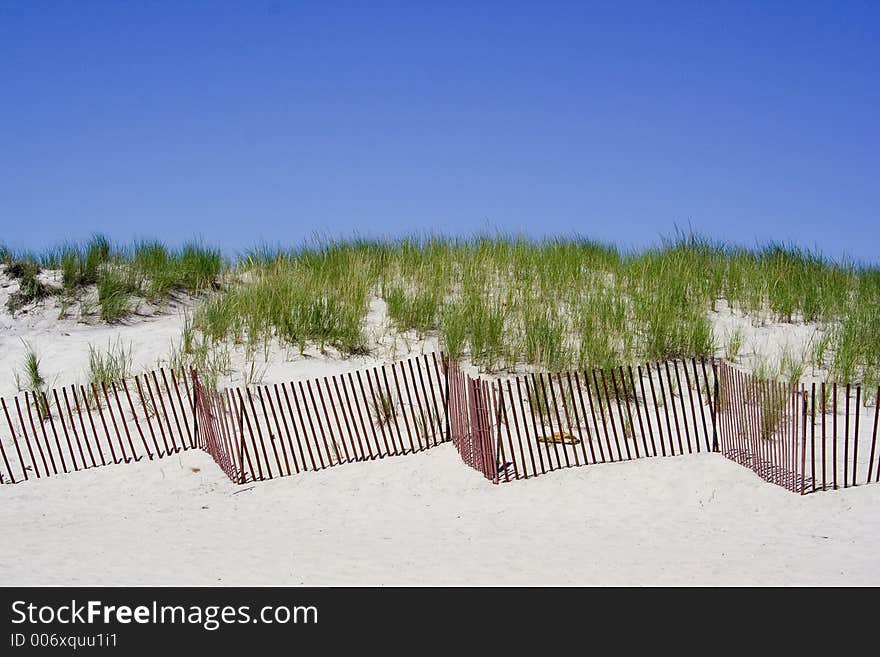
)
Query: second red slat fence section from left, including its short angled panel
[{"x": 269, "y": 431}]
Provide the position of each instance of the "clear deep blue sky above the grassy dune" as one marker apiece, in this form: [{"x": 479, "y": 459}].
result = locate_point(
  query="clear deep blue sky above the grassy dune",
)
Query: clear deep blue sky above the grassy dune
[{"x": 267, "y": 121}]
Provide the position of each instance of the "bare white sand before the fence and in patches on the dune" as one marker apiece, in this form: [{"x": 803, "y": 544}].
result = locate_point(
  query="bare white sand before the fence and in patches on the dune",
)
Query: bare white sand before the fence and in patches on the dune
[{"x": 421, "y": 519}]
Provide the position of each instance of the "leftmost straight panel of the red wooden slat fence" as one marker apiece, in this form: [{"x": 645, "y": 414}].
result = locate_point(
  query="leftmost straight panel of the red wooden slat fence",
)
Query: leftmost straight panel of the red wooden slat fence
[{"x": 81, "y": 427}]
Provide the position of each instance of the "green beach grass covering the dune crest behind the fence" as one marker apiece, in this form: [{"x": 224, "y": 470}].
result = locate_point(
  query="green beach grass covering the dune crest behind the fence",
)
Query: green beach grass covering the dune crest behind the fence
[{"x": 500, "y": 300}]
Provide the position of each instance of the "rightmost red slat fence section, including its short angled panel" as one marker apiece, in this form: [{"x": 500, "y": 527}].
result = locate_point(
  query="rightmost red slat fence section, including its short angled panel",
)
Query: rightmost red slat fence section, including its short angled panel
[{"x": 803, "y": 439}]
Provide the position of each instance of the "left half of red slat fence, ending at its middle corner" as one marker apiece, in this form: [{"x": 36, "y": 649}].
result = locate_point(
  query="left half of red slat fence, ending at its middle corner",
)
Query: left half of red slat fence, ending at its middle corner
[{"x": 253, "y": 433}]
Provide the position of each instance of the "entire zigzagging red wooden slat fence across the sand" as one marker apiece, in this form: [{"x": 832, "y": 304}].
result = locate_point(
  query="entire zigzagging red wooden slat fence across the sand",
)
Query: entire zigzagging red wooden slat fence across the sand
[{"x": 805, "y": 439}]
